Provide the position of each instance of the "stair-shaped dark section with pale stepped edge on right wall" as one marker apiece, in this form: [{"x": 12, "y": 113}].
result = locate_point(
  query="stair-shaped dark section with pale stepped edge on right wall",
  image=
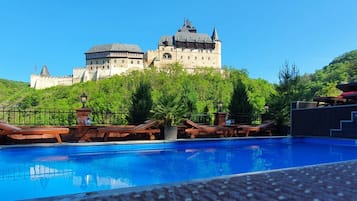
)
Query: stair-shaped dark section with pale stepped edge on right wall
[{"x": 348, "y": 128}]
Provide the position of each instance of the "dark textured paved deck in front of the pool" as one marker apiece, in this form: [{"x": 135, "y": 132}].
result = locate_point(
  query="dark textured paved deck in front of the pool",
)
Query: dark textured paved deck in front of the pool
[{"x": 336, "y": 181}]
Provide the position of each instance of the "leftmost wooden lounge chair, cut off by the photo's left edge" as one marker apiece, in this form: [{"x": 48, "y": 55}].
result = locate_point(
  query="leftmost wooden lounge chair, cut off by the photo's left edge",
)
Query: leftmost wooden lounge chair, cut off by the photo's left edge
[{"x": 32, "y": 133}]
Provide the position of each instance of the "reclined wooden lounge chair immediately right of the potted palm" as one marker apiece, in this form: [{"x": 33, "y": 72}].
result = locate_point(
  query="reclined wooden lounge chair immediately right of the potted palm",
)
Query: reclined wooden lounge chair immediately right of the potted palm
[{"x": 197, "y": 129}]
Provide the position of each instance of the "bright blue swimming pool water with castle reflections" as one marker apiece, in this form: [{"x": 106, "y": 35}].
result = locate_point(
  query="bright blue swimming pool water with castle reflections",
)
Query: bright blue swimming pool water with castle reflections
[{"x": 33, "y": 172}]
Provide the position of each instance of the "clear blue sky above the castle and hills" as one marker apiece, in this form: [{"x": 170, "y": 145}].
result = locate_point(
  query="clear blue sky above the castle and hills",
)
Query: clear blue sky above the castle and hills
[{"x": 257, "y": 35}]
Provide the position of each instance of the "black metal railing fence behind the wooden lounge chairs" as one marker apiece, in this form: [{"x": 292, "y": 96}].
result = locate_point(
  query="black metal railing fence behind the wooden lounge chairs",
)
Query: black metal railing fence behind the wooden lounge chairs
[{"x": 56, "y": 117}]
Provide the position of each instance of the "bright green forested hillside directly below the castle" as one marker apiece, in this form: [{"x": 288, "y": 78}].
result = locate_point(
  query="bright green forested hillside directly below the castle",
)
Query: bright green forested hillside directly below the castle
[{"x": 201, "y": 90}]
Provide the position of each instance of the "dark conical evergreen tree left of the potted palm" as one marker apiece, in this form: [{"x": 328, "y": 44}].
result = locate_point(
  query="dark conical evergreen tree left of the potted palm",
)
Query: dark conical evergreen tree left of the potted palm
[{"x": 141, "y": 104}]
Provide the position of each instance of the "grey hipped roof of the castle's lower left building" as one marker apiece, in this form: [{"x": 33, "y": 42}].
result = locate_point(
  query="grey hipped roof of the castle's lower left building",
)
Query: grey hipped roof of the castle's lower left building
[{"x": 115, "y": 48}]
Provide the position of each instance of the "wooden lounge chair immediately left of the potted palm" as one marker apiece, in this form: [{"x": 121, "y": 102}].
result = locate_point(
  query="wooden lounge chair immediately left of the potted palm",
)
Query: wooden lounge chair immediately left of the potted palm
[{"x": 149, "y": 127}]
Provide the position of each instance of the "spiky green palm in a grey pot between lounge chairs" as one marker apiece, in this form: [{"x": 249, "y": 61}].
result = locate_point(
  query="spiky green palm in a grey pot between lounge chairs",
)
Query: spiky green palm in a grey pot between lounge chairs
[{"x": 169, "y": 112}]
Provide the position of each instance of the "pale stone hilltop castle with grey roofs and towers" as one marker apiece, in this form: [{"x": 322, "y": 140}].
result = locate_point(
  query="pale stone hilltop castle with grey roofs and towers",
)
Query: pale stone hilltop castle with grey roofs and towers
[{"x": 187, "y": 47}]
